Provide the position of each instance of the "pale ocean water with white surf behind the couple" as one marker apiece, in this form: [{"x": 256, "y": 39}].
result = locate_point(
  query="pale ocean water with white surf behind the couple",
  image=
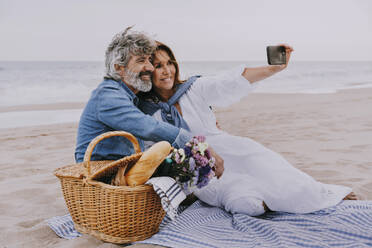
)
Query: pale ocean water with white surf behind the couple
[{"x": 27, "y": 83}]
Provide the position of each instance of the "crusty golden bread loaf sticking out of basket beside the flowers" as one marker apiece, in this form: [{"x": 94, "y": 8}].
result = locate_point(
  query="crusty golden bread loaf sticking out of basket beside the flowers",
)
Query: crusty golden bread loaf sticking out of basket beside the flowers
[{"x": 147, "y": 164}]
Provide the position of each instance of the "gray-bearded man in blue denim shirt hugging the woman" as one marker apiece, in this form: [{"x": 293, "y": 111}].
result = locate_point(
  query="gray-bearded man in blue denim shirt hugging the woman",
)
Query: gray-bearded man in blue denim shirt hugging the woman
[{"x": 112, "y": 105}]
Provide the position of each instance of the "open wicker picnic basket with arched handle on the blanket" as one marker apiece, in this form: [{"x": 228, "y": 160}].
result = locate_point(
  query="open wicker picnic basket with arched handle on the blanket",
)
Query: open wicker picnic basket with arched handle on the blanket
[{"x": 116, "y": 214}]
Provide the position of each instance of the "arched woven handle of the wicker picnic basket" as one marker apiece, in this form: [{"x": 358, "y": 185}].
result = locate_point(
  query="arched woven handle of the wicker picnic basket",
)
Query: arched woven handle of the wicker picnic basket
[{"x": 96, "y": 140}]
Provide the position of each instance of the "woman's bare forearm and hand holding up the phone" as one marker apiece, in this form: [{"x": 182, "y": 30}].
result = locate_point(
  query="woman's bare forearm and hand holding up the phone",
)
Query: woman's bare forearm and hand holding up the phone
[{"x": 259, "y": 73}]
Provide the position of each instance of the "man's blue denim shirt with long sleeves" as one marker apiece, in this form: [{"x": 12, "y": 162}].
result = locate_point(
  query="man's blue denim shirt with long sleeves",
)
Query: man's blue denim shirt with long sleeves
[{"x": 112, "y": 107}]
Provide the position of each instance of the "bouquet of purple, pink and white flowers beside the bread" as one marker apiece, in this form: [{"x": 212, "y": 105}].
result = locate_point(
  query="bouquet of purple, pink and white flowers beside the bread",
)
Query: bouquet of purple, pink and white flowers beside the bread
[{"x": 192, "y": 166}]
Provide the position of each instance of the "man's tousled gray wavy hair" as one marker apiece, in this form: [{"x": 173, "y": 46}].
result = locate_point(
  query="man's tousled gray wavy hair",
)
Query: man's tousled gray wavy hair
[{"x": 123, "y": 46}]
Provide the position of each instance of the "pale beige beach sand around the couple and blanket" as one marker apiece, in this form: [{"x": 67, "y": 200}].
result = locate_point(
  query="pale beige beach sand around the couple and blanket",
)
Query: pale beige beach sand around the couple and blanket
[{"x": 329, "y": 136}]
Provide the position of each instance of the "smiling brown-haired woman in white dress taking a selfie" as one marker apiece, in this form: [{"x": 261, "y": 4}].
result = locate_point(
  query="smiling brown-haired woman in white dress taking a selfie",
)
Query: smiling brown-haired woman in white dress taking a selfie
[{"x": 254, "y": 176}]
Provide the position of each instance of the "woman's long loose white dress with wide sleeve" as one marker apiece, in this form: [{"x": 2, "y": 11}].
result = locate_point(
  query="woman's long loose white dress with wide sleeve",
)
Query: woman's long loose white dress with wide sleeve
[{"x": 252, "y": 173}]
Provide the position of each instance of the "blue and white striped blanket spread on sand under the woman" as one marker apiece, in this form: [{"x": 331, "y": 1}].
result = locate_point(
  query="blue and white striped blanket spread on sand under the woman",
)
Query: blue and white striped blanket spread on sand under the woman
[{"x": 348, "y": 224}]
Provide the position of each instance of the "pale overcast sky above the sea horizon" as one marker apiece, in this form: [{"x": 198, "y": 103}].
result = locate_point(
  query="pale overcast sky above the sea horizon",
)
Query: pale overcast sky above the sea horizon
[{"x": 195, "y": 29}]
